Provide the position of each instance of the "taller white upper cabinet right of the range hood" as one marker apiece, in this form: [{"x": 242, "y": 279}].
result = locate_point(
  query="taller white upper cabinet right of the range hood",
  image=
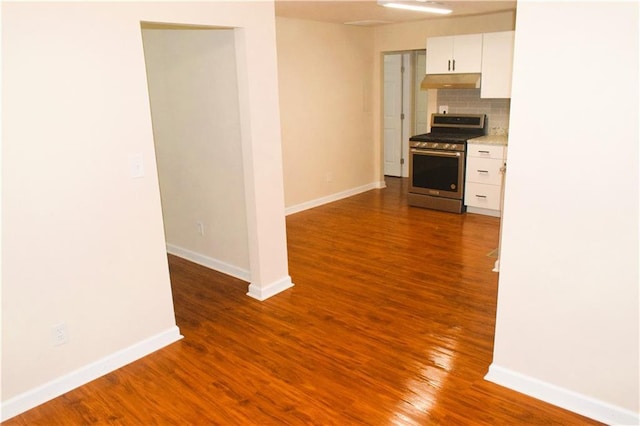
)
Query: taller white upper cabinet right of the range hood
[{"x": 497, "y": 64}]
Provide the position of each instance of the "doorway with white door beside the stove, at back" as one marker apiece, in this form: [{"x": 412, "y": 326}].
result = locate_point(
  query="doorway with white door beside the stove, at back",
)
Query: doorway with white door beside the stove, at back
[{"x": 404, "y": 107}]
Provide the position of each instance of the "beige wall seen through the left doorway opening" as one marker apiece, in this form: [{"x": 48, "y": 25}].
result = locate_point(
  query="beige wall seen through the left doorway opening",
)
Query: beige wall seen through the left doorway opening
[{"x": 193, "y": 90}]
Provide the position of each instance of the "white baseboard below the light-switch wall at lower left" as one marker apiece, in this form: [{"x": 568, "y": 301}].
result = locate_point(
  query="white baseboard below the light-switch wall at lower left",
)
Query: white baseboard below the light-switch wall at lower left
[{"x": 46, "y": 392}]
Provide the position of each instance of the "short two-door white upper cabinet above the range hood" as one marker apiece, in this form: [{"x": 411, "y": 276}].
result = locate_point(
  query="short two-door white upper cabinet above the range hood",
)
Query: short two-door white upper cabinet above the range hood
[{"x": 454, "y": 54}]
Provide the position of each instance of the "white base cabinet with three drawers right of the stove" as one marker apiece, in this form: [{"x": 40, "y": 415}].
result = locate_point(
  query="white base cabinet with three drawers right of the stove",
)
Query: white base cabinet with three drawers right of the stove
[{"x": 483, "y": 182}]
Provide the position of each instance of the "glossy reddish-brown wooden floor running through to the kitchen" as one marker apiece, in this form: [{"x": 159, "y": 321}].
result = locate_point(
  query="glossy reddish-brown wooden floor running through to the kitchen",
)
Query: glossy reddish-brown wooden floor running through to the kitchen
[{"x": 391, "y": 321}]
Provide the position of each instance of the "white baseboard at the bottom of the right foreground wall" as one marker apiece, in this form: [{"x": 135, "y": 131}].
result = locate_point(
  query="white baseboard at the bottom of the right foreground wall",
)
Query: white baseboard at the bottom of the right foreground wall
[{"x": 561, "y": 397}]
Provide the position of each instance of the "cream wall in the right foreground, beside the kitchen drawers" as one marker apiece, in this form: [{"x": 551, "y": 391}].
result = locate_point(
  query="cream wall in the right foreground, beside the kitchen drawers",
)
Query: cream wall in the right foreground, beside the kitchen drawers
[{"x": 567, "y": 323}]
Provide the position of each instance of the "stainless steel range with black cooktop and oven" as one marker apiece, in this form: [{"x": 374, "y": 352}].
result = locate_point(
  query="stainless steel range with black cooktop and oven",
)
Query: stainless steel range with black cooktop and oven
[{"x": 437, "y": 161}]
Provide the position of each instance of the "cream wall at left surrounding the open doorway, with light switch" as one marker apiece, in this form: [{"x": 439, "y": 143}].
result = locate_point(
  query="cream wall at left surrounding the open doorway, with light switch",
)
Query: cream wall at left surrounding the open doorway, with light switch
[{"x": 82, "y": 242}]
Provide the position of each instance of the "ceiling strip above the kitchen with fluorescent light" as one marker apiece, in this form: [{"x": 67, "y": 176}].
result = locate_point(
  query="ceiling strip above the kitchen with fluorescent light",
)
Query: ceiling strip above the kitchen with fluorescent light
[{"x": 369, "y": 13}]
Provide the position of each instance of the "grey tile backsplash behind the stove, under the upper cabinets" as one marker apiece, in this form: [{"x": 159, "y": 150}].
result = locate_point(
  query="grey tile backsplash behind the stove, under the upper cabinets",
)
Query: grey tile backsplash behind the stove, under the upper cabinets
[{"x": 468, "y": 101}]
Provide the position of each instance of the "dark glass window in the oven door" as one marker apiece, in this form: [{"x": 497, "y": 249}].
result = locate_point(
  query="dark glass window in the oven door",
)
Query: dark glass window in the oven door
[{"x": 435, "y": 172}]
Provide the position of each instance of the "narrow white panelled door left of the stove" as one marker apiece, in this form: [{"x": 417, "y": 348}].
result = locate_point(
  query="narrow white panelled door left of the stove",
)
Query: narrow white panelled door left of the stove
[{"x": 392, "y": 114}]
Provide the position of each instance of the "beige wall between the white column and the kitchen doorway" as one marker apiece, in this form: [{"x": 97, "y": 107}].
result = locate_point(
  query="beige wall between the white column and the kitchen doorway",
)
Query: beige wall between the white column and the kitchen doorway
[{"x": 325, "y": 73}]
